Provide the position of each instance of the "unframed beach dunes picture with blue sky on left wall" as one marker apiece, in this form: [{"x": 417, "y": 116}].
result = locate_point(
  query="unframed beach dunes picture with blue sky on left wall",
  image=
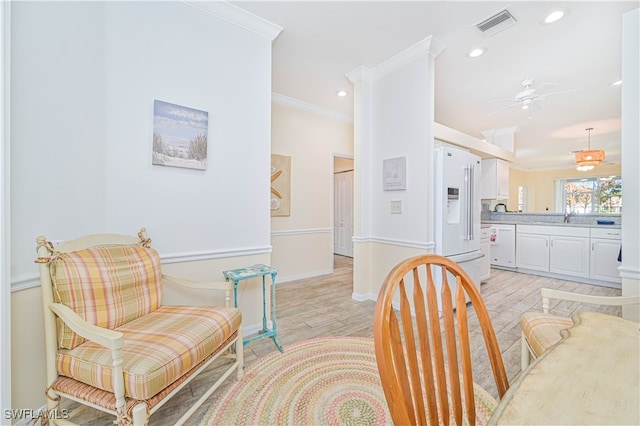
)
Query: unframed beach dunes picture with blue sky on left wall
[{"x": 179, "y": 136}]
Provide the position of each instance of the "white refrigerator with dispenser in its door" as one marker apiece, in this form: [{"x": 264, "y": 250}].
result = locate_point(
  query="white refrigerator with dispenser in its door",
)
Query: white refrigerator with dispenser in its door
[{"x": 457, "y": 209}]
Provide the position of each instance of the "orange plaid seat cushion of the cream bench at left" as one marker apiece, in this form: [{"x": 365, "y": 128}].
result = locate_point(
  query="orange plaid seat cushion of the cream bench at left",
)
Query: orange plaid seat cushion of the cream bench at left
[{"x": 159, "y": 348}]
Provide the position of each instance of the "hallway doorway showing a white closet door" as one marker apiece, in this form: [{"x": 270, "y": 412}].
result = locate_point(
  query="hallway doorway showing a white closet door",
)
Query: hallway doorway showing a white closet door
[{"x": 343, "y": 213}]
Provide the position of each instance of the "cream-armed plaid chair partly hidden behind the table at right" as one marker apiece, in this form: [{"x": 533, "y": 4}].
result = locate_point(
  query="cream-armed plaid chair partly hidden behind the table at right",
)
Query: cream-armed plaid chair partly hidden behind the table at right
[{"x": 541, "y": 330}]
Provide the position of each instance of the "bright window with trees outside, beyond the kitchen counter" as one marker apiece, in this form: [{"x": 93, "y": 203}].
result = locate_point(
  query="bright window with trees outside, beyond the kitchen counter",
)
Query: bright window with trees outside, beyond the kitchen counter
[{"x": 597, "y": 195}]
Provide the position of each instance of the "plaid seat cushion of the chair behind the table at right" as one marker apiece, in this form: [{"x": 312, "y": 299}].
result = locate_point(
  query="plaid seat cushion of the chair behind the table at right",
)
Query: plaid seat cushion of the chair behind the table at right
[{"x": 543, "y": 330}]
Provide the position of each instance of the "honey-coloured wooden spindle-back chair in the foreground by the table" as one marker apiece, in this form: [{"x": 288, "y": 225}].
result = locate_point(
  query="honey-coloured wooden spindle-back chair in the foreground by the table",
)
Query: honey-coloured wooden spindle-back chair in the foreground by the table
[{"x": 421, "y": 332}]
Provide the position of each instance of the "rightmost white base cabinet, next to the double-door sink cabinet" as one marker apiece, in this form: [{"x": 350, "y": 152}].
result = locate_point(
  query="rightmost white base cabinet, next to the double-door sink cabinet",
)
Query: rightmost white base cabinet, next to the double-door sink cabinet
[{"x": 605, "y": 247}]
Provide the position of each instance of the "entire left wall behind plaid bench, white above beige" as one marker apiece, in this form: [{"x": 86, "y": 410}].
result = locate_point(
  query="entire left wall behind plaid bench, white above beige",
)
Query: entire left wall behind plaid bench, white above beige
[{"x": 85, "y": 75}]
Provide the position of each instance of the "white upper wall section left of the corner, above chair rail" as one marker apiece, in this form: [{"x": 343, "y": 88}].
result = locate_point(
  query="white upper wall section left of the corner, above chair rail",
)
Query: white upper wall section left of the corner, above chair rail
[{"x": 58, "y": 141}]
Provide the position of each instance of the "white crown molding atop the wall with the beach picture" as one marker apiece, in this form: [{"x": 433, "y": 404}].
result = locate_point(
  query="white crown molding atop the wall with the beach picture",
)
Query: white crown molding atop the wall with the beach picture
[{"x": 238, "y": 17}]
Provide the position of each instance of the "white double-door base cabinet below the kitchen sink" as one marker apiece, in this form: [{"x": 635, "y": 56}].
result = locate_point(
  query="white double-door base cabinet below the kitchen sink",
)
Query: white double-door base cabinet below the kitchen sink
[{"x": 556, "y": 249}]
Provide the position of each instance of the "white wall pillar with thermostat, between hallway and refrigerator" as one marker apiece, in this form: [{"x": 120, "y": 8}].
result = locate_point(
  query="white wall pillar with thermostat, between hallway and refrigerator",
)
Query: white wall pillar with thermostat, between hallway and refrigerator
[{"x": 394, "y": 117}]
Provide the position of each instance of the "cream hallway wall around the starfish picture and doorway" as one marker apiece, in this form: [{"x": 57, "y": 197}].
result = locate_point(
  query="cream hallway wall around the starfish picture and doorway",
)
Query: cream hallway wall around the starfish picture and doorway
[{"x": 303, "y": 242}]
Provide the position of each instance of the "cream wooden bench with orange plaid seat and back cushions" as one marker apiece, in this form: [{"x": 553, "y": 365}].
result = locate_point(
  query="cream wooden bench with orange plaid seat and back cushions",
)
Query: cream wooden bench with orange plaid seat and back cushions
[{"x": 111, "y": 343}]
